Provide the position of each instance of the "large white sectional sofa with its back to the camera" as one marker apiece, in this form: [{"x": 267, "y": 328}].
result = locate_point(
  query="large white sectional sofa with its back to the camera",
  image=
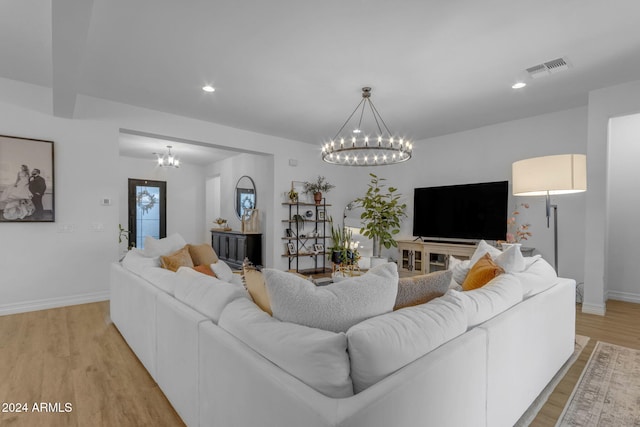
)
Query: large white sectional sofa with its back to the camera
[{"x": 476, "y": 358}]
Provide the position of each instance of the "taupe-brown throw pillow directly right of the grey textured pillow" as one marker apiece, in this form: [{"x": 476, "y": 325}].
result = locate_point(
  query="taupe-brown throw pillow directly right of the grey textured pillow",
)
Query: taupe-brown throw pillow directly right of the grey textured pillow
[{"x": 417, "y": 290}]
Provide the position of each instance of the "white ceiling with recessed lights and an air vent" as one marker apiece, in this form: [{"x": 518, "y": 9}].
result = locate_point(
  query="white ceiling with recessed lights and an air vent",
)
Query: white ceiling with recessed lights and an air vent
[{"x": 294, "y": 68}]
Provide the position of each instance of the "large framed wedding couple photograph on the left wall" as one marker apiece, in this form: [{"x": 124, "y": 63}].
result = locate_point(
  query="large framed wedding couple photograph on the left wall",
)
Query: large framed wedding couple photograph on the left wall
[{"x": 27, "y": 190}]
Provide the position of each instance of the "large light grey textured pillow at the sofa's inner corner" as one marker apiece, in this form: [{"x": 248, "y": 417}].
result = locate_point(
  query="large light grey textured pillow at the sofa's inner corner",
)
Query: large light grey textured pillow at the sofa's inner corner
[{"x": 335, "y": 307}]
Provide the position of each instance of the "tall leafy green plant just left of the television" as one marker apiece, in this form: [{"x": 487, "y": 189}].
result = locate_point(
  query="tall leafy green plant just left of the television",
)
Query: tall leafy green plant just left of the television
[{"x": 382, "y": 214}]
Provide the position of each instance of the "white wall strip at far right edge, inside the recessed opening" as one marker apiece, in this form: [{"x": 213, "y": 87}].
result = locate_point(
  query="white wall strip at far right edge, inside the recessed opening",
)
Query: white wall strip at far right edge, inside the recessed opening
[{"x": 623, "y": 232}]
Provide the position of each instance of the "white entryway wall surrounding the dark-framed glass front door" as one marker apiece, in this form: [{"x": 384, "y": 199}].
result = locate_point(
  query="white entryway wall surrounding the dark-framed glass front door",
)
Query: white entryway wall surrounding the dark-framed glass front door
[{"x": 185, "y": 195}]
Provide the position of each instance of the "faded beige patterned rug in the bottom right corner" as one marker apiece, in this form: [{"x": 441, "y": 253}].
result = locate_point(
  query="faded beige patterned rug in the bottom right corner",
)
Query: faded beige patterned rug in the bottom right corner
[{"x": 608, "y": 392}]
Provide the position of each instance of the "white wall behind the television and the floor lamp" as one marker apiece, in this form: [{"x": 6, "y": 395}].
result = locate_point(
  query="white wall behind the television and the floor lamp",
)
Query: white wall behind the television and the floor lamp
[{"x": 486, "y": 154}]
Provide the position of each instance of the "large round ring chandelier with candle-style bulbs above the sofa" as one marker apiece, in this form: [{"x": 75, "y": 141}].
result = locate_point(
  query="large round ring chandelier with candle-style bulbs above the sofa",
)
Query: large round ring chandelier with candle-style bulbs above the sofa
[{"x": 365, "y": 149}]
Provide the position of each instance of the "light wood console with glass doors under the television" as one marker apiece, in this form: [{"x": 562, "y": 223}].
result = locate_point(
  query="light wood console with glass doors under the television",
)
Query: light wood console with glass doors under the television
[{"x": 422, "y": 257}]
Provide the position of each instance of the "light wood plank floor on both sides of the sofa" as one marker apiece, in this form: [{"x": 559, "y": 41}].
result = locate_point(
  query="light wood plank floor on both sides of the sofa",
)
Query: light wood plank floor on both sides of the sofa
[{"x": 76, "y": 355}]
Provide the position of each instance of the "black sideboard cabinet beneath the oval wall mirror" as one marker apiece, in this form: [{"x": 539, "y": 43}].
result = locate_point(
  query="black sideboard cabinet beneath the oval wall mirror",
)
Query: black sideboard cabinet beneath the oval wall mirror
[{"x": 234, "y": 246}]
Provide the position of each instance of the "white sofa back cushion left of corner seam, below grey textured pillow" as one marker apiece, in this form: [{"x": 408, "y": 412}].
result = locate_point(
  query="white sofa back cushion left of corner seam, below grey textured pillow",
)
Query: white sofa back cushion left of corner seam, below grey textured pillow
[{"x": 317, "y": 358}]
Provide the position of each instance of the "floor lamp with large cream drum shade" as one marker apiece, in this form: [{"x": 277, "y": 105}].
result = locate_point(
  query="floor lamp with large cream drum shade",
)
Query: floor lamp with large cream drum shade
[{"x": 548, "y": 176}]
